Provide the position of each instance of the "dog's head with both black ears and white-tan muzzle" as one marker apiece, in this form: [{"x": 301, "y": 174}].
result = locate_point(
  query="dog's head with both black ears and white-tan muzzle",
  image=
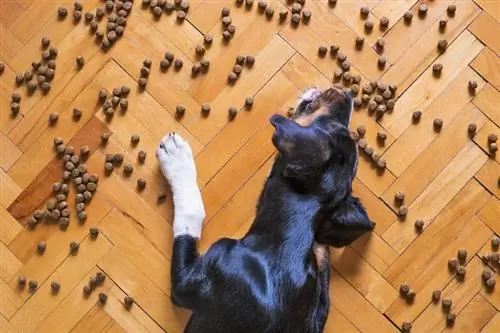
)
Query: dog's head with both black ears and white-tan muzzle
[{"x": 318, "y": 157}]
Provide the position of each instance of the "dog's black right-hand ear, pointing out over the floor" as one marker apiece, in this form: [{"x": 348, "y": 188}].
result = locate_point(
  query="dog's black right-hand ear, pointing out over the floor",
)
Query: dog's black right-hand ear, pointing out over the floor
[{"x": 347, "y": 223}]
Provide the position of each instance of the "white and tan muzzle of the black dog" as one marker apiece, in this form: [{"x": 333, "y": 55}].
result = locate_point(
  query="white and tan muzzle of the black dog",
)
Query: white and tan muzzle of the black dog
[{"x": 315, "y": 103}]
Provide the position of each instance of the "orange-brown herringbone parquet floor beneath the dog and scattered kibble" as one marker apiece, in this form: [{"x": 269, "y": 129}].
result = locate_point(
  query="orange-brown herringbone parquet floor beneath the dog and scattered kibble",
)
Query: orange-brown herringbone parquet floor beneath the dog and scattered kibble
[{"x": 450, "y": 180}]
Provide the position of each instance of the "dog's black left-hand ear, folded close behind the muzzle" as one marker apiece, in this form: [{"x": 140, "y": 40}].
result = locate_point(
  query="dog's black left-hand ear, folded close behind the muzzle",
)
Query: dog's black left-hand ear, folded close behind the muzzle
[{"x": 304, "y": 146}]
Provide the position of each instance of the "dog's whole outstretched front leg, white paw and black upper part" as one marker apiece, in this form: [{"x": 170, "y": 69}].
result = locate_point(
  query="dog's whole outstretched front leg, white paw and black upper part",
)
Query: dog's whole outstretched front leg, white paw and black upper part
[{"x": 188, "y": 269}]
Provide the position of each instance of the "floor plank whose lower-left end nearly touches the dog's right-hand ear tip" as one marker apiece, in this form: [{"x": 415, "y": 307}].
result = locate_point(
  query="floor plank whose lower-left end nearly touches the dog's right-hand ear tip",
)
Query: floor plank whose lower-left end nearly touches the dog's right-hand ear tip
[{"x": 436, "y": 196}]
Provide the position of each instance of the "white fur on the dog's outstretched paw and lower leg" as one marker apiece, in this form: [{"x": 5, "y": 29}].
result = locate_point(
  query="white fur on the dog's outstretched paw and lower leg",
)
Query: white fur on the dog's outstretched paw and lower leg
[{"x": 177, "y": 164}]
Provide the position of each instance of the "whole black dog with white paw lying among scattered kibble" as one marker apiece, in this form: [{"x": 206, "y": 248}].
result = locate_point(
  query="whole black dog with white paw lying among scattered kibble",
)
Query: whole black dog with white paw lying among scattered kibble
[{"x": 274, "y": 279}]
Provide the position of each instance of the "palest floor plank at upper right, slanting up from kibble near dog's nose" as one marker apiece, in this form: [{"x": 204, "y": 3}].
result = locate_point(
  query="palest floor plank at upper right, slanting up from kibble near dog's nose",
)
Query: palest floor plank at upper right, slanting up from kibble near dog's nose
[{"x": 425, "y": 90}]
